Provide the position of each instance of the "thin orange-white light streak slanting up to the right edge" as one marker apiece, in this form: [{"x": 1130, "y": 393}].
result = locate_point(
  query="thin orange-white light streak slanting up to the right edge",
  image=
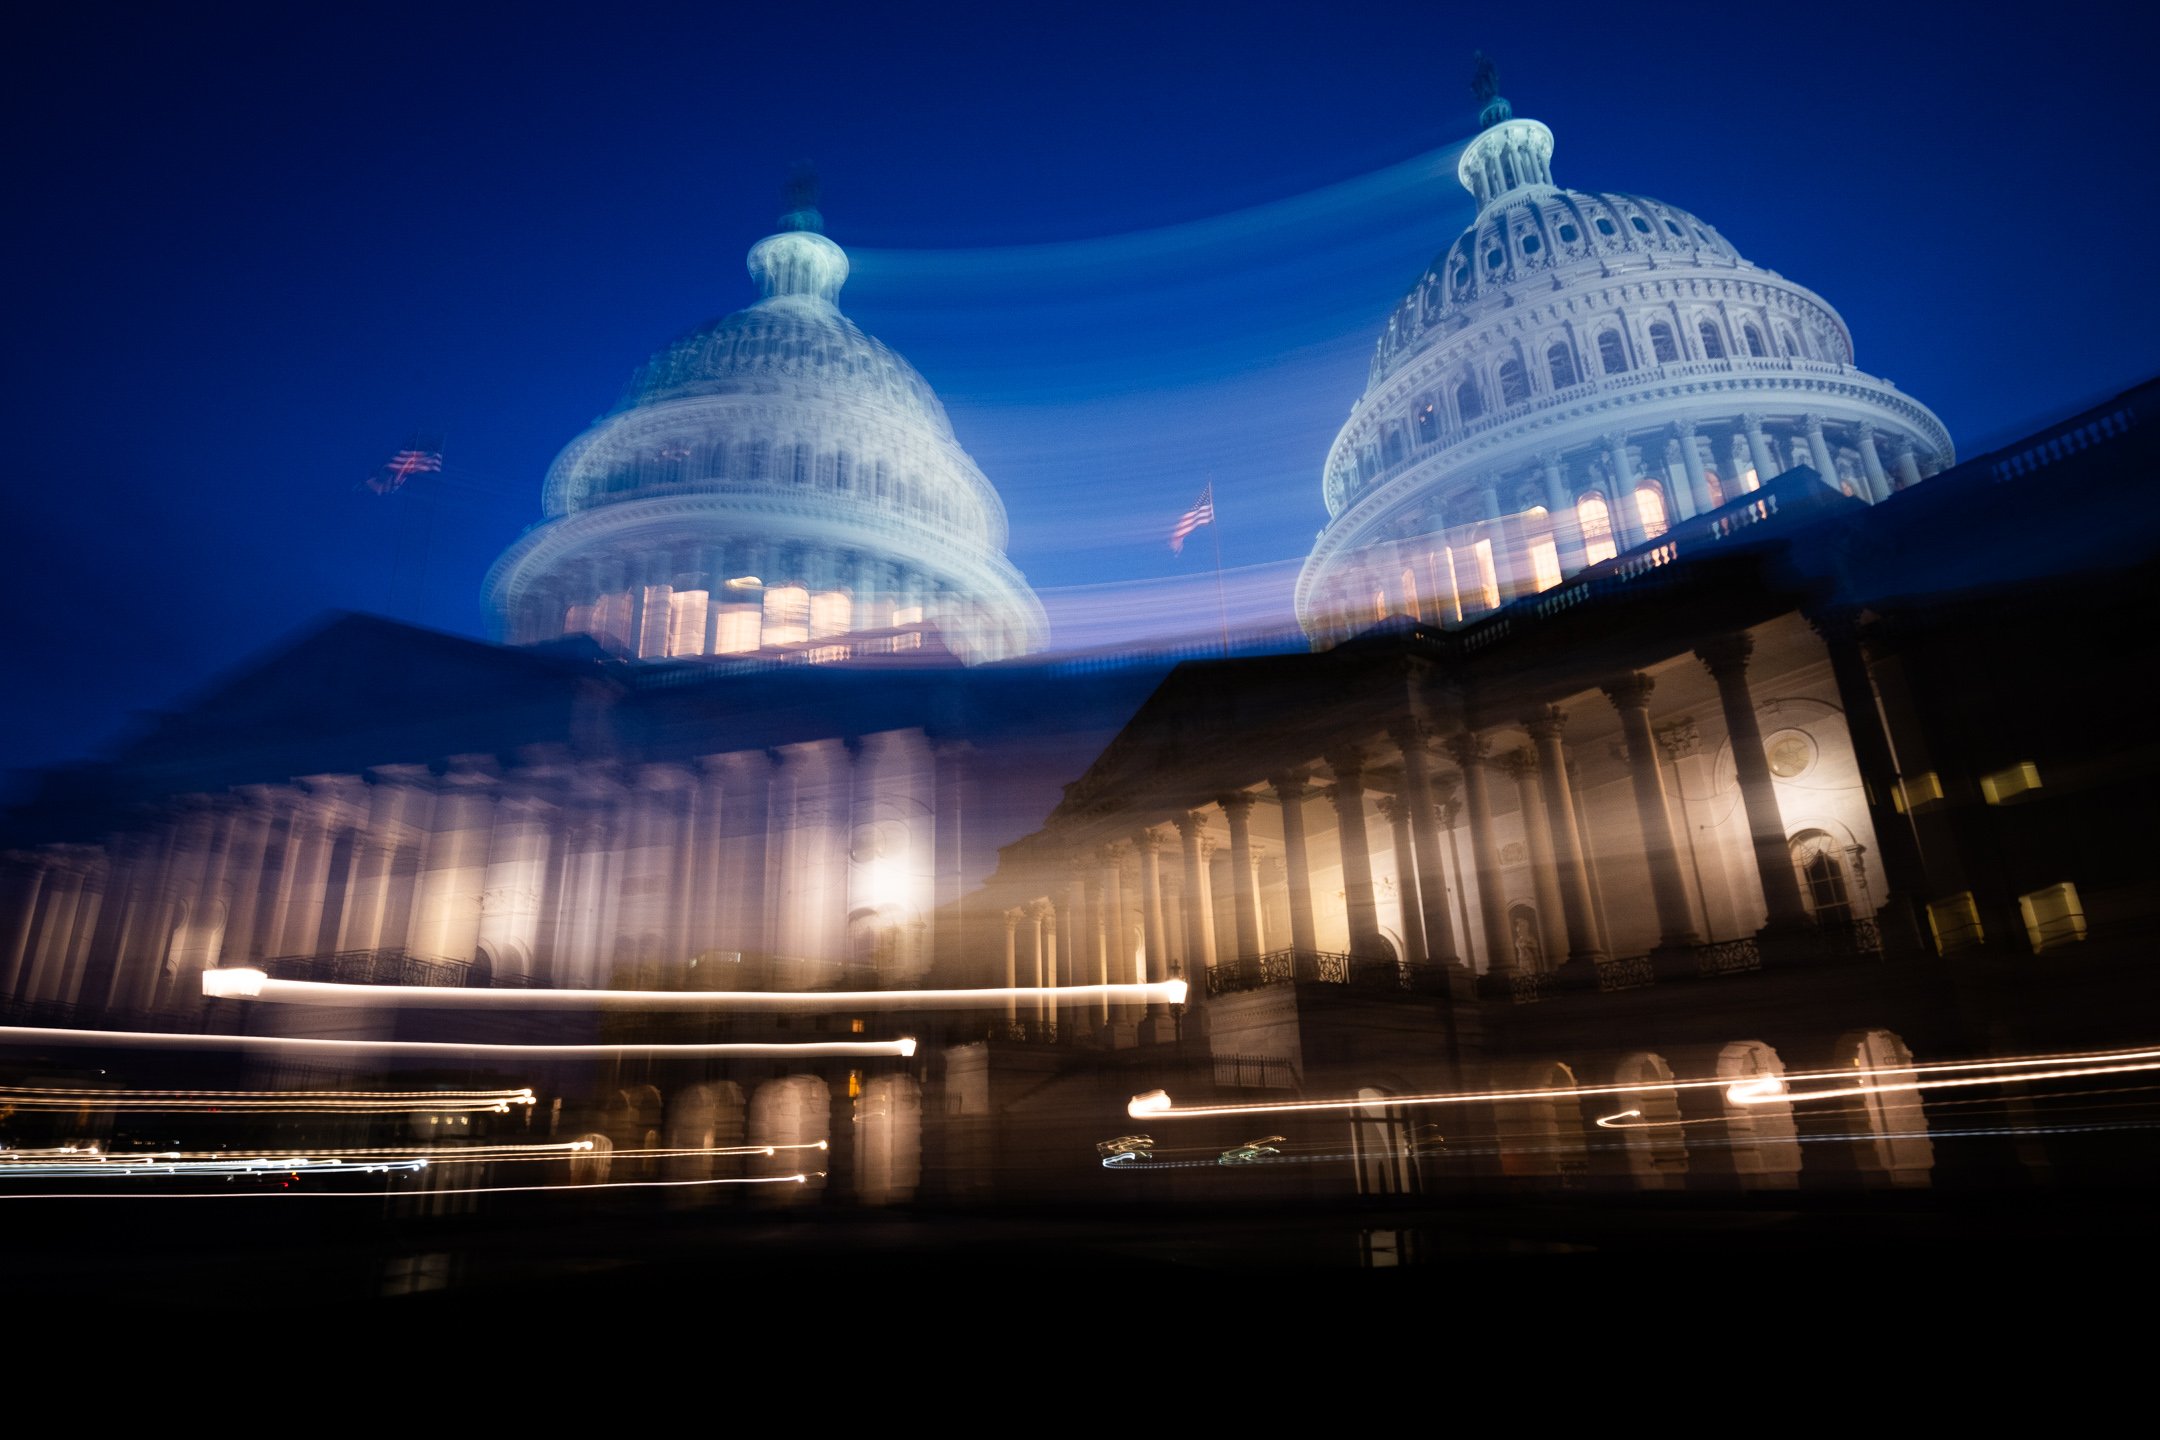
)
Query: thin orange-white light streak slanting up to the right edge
[{"x": 1755, "y": 1091}]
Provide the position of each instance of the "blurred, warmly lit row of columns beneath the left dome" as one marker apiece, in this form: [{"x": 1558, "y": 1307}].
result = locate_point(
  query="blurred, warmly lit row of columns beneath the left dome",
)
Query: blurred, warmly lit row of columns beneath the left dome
[{"x": 783, "y": 869}]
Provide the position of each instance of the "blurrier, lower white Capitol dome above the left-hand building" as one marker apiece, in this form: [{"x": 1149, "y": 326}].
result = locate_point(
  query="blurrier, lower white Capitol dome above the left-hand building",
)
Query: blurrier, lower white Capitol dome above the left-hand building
[{"x": 774, "y": 483}]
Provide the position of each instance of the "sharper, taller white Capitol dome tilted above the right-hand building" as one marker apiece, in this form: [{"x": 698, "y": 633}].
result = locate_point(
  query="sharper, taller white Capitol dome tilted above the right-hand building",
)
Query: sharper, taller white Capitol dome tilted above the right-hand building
[{"x": 1569, "y": 379}]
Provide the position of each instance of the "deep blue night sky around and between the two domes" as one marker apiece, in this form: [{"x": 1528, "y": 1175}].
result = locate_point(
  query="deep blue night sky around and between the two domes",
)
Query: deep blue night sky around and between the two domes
[{"x": 1133, "y": 247}]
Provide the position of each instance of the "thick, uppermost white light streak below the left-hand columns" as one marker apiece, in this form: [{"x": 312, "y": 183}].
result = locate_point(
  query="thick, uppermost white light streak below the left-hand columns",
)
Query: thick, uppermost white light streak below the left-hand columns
[{"x": 241, "y": 983}]
